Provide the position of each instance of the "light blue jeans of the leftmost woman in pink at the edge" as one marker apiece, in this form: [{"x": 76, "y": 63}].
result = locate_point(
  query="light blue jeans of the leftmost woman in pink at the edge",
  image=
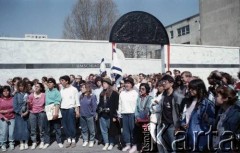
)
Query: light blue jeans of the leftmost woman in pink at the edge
[{"x": 6, "y": 131}]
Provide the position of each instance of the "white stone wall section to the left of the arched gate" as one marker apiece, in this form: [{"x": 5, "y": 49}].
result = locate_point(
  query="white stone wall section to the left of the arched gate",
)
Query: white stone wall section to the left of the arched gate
[{"x": 23, "y": 51}]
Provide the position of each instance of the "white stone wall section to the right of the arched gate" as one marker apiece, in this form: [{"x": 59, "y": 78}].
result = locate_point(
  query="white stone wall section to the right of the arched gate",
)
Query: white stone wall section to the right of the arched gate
[{"x": 210, "y": 56}]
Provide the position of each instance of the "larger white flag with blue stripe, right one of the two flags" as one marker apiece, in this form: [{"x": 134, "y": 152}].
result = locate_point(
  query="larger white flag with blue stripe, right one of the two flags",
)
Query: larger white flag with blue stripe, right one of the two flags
[{"x": 116, "y": 69}]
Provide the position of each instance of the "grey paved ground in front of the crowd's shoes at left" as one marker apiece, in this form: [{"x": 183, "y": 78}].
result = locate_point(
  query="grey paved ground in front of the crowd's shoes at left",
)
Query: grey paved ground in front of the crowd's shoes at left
[{"x": 53, "y": 148}]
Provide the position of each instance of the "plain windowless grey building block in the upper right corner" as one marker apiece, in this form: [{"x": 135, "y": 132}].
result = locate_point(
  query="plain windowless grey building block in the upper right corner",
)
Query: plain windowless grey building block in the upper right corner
[{"x": 220, "y": 22}]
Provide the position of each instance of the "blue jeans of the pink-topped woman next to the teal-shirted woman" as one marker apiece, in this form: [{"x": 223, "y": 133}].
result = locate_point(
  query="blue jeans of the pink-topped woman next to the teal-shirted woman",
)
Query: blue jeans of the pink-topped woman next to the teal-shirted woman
[{"x": 37, "y": 120}]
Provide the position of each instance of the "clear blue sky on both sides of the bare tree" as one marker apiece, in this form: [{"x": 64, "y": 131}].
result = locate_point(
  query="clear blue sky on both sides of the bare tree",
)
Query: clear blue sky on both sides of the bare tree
[{"x": 19, "y": 17}]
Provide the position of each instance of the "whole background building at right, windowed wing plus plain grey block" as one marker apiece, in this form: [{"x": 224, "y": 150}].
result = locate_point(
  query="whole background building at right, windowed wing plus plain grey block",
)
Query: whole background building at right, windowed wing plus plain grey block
[{"x": 218, "y": 24}]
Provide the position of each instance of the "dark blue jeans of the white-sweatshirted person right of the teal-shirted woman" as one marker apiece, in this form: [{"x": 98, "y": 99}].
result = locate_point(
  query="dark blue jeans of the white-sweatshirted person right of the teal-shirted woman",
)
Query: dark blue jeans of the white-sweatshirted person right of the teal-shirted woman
[{"x": 69, "y": 122}]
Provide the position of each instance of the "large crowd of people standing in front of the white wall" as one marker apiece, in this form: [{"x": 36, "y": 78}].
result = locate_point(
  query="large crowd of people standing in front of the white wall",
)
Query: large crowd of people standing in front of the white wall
[{"x": 173, "y": 106}]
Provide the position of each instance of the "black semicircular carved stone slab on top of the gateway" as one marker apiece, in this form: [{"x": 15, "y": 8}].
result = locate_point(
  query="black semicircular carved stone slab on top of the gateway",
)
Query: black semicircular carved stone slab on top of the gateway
[{"x": 139, "y": 27}]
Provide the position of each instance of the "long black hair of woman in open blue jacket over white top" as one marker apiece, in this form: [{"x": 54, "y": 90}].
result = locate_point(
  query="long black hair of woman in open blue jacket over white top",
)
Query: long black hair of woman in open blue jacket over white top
[{"x": 199, "y": 86}]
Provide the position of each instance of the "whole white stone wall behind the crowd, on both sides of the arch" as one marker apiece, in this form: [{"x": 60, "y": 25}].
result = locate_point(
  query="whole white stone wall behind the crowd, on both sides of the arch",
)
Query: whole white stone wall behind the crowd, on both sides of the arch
[{"x": 25, "y": 51}]
